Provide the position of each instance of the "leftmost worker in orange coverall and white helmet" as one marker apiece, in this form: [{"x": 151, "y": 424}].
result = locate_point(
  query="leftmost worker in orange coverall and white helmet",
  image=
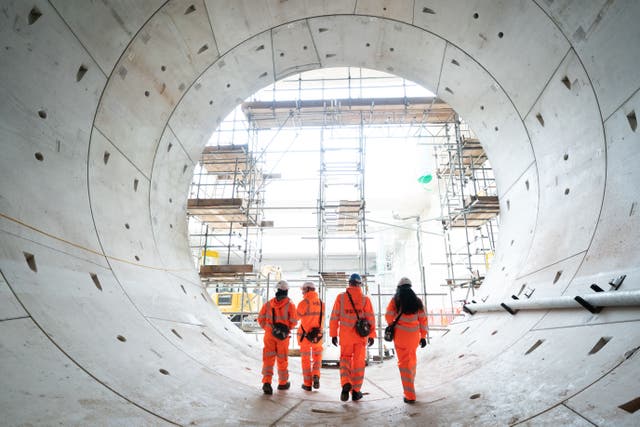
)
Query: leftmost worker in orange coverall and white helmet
[{"x": 277, "y": 317}]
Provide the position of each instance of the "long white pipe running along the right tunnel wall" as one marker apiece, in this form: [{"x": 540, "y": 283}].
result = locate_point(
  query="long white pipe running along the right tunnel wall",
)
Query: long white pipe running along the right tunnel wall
[{"x": 601, "y": 299}]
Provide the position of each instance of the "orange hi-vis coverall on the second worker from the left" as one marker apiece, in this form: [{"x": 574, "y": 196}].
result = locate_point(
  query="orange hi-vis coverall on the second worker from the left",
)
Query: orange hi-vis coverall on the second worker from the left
[{"x": 309, "y": 311}]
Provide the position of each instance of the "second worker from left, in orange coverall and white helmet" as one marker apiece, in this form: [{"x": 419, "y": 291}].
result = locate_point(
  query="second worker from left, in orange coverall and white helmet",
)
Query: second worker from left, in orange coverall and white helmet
[{"x": 311, "y": 315}]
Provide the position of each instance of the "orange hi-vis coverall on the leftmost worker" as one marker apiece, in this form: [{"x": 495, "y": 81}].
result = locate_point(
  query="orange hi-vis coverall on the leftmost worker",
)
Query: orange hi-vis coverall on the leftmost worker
[{"x": 285, "y": 312}]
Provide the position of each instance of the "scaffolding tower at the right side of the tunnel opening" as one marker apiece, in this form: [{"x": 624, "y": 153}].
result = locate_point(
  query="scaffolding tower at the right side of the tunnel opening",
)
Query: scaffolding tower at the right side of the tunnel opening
[{"x": 469, "y": 206}]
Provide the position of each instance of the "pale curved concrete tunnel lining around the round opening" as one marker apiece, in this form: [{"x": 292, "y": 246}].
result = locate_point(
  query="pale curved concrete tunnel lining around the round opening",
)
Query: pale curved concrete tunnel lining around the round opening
[{"x": 60, "y": 321}]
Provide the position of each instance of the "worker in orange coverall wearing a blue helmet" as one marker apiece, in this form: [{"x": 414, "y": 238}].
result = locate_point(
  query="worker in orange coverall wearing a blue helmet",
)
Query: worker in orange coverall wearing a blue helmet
[{"x": 352, "y": 319}]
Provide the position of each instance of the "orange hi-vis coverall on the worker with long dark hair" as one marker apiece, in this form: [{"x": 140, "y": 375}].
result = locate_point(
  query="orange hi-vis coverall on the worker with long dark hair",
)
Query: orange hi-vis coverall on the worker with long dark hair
[{"x": 408, "y": 332}]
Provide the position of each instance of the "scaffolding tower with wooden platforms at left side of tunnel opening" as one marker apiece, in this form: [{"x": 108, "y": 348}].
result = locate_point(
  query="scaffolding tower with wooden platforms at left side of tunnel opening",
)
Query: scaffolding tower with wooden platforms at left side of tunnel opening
[{"x": 225, "y": 206}]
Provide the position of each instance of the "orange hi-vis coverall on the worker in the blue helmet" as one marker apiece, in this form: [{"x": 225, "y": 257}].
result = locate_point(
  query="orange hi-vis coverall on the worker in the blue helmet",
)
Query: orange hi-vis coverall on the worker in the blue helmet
[{"x": 353, "y": 347}]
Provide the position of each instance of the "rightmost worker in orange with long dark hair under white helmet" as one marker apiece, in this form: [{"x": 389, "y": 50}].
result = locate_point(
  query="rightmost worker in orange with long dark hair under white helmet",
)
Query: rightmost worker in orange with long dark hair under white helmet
[{"x": 410, "y": 329}]
